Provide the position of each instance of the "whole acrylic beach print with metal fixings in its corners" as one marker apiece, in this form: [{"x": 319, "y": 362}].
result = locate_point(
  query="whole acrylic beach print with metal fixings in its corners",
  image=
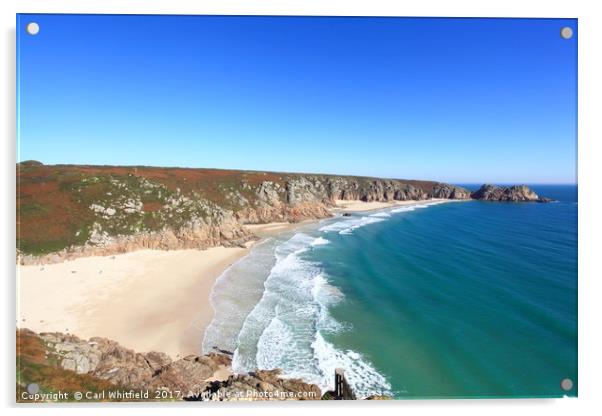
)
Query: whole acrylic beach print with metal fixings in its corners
[{"x": 223, "y": 208}]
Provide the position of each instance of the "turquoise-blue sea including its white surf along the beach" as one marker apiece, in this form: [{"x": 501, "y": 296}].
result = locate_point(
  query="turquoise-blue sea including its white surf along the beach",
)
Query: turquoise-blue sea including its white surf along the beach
[{"x": 458, "y": 299}]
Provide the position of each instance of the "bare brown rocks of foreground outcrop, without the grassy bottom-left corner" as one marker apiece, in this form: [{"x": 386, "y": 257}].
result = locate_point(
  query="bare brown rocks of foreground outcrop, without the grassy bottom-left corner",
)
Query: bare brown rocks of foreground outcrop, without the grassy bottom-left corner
[{"x": 193, "y": 377}]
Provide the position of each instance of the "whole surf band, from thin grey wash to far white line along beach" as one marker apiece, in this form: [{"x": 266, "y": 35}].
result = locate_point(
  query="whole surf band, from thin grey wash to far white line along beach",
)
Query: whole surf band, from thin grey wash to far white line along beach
[{"x": 283, "y": 320}]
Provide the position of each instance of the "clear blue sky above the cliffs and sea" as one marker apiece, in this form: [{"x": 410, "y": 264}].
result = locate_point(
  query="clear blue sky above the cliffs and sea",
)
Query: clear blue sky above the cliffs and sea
[{"x": 455, "y": 100}]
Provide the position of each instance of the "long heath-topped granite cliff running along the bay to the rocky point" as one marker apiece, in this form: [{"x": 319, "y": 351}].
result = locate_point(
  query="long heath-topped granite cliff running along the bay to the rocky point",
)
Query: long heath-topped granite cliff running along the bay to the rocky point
[{"x": 69, "y": 211}]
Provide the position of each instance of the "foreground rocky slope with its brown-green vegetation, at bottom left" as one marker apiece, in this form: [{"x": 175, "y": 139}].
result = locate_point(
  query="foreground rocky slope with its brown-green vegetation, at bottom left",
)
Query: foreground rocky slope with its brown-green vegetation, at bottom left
[{"x": 56, "y": 360}]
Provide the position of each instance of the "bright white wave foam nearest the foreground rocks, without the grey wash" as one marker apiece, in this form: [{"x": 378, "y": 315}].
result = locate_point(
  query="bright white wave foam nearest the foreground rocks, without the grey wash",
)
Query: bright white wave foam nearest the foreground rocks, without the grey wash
[{"x": 285, "y": 328}]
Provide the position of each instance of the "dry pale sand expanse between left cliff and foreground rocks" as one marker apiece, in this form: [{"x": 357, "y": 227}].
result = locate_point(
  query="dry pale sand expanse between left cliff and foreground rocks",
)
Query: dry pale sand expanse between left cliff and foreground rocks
[{"x": 146, "y": 300}]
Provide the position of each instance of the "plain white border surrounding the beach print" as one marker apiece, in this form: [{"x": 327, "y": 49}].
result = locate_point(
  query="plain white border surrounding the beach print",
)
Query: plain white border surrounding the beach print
[{"x": 590, "y": 272}]
